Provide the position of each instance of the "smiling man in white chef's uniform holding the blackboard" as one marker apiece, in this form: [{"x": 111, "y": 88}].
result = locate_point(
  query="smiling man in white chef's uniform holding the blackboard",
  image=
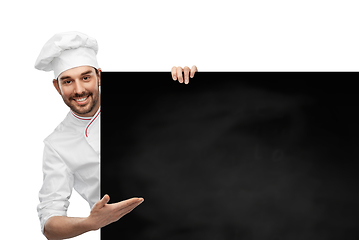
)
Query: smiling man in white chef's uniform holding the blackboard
[{"x": 72, "y": 152}]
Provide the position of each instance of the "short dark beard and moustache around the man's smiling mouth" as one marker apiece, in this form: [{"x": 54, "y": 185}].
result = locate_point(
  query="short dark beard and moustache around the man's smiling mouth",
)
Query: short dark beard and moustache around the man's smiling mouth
[{"x": 82, "y": 109}]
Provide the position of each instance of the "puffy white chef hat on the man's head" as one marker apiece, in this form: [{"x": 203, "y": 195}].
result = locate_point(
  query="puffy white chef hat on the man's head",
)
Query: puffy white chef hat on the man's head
[{"x": 67, "y": 50}]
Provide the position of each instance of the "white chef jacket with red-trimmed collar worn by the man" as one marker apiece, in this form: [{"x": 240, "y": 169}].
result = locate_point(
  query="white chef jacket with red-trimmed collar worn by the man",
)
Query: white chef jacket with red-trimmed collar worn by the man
[{"x": 71, "y": 160}]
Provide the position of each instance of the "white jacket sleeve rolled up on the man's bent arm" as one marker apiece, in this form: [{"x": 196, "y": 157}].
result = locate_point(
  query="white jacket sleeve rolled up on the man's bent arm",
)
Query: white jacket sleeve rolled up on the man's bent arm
[{"x": 57, "y": 186}]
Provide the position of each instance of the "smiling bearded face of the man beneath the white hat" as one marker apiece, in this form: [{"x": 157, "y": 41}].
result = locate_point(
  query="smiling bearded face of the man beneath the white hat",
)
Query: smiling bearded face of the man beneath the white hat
[{"x": 79, "y": 88}]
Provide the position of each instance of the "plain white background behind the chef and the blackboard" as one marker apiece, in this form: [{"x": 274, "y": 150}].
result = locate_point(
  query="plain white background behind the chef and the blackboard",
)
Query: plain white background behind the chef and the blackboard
[{"x": 255, "y": 35}]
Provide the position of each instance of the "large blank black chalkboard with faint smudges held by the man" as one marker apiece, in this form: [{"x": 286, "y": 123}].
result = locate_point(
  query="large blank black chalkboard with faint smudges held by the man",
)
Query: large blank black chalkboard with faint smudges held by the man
[{"x": 232, "y": 155}]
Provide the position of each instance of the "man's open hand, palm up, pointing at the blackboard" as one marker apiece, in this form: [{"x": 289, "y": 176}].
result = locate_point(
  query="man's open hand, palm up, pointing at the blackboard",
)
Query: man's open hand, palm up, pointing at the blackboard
[{"x": 103, "y": 213}]
